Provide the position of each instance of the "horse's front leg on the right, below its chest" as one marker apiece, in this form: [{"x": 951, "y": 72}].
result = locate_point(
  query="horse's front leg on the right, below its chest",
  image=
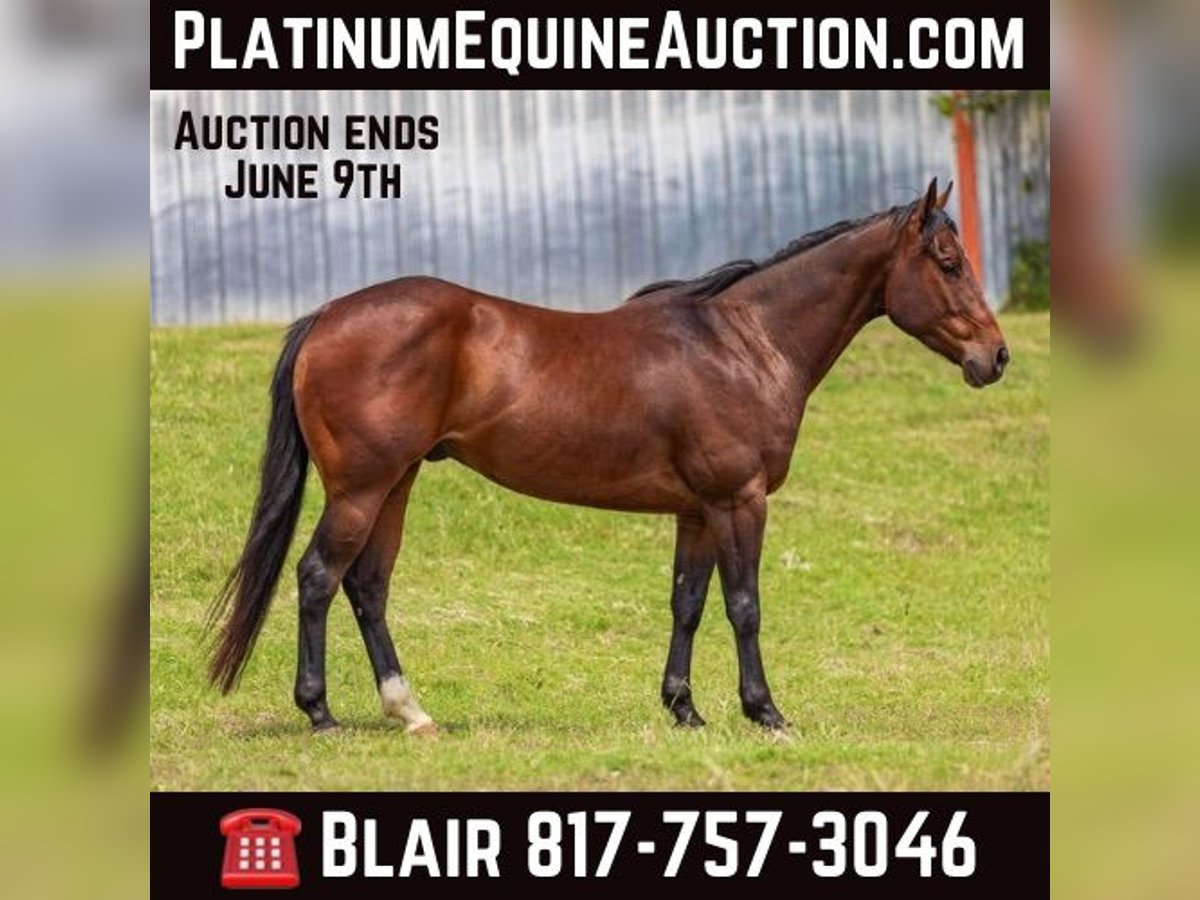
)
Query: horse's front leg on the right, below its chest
[{"x": 737, "y": 526}]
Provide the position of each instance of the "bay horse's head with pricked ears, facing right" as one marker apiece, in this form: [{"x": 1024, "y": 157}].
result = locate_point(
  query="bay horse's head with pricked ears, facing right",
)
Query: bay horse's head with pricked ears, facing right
[{"x": 932, "y": 293}]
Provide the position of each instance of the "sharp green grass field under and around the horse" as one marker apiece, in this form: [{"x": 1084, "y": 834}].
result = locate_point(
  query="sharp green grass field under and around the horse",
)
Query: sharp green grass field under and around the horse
[{"x": 907, "y": 603}]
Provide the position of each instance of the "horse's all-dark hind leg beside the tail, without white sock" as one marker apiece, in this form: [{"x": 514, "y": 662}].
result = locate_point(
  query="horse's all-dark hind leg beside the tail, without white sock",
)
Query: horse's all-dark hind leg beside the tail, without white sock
[{"x": 344, "y": 530}]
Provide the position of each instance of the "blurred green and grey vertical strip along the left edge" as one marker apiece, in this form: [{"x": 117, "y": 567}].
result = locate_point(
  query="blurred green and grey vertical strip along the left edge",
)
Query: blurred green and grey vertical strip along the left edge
[{"x": 74, "y": 313}]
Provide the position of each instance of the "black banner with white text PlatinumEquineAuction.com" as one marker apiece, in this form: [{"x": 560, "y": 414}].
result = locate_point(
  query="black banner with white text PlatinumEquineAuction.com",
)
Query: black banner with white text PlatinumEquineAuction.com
[{"x": 623, "y": 45}]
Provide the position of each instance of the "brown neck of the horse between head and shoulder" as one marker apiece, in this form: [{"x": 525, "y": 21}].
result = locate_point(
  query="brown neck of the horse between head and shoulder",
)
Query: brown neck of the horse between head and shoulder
[{"x": 812, "y": 307}]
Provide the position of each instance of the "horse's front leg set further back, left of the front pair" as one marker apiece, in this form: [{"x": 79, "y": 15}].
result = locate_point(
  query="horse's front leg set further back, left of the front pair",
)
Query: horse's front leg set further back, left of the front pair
[{"x": 693, "y": 572}]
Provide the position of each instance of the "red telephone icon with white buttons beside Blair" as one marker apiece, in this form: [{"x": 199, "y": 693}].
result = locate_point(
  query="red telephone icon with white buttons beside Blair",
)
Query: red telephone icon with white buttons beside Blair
[{"x": 260, "y": 850}]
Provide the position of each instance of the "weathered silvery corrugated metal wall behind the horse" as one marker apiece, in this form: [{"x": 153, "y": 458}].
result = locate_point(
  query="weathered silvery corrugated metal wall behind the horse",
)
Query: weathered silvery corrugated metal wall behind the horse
[{"x": 568, "y": 200}]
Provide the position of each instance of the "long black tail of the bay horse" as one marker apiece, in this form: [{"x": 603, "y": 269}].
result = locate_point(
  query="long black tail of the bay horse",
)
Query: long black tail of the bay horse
[{"x": 253, "y": 581}]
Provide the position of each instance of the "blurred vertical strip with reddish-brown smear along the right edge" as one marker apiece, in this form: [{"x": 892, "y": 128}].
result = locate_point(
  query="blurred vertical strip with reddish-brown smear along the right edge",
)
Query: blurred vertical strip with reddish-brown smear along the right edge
[{"x": 1126, "y": 806}]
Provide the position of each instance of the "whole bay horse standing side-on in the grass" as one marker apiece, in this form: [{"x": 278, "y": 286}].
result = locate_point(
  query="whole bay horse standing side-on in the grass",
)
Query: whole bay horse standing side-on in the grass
[{"x": 687, "y": 400}]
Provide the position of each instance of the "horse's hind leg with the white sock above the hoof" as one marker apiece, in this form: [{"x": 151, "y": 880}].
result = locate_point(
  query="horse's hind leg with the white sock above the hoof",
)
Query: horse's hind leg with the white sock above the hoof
[{"x": 367, "y": 585}]
